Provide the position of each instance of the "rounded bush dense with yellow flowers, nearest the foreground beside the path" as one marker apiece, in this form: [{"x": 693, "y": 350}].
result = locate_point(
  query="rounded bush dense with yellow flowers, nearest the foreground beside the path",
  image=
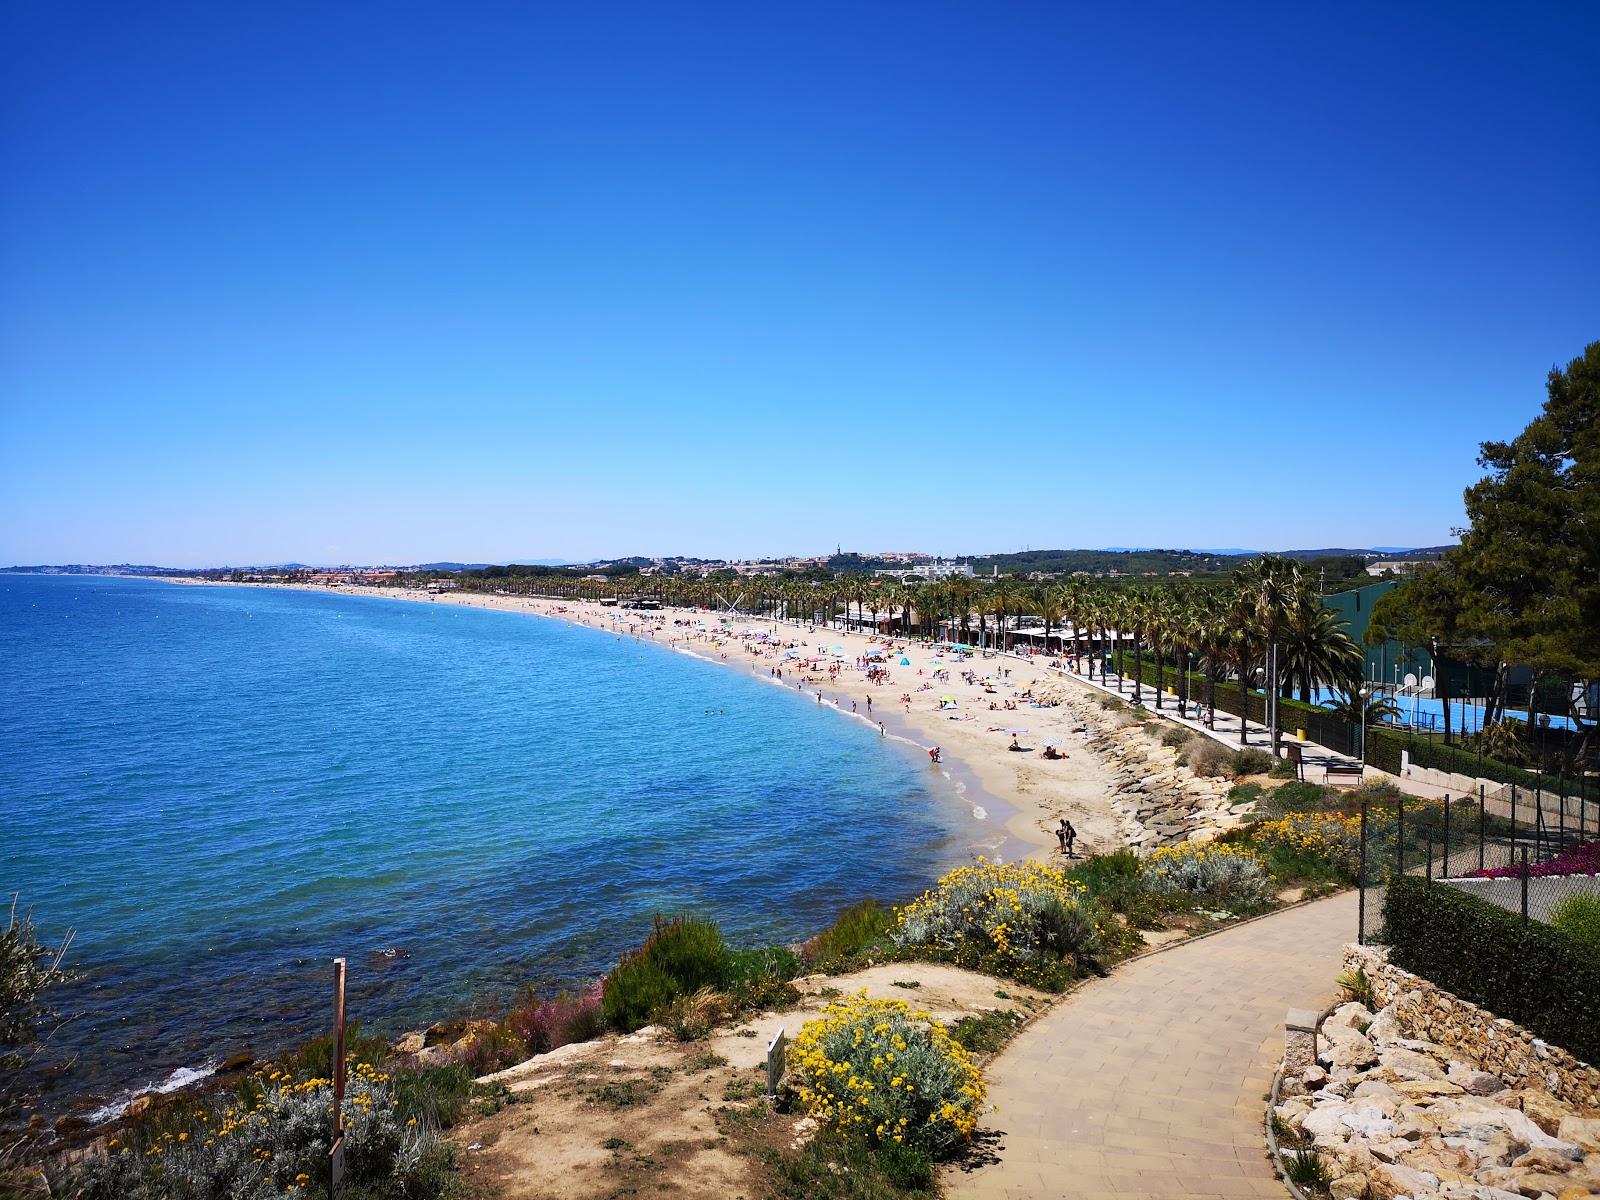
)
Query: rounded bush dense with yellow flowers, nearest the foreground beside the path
[{"x": 886, "y": 1073}]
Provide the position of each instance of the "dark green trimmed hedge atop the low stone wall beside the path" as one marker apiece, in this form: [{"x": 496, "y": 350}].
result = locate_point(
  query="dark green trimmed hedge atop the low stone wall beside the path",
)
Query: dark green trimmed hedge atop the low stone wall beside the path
[{"x": 1529, "y": 972}]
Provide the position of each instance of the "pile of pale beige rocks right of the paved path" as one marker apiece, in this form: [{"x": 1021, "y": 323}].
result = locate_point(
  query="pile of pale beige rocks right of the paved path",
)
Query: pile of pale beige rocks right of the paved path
[{"x": 1393, "y": 1116}]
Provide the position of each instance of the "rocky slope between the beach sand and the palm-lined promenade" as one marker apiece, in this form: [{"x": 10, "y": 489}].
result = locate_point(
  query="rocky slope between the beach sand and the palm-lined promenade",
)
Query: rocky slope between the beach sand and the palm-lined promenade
[{"x": 1156, "y": 801}]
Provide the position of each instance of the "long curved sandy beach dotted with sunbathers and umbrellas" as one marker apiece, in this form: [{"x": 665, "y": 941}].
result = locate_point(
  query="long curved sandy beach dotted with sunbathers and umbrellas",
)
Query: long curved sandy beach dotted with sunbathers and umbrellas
[{"x": 959, "y": 706}]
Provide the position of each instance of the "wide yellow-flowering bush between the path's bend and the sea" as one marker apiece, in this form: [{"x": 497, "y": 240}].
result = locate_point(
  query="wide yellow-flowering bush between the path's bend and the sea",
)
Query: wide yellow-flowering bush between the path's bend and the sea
[{"x": 1002, "y": 916}]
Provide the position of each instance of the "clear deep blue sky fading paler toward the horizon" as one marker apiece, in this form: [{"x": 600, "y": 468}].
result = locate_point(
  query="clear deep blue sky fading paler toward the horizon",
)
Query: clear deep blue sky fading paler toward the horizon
[{"x": 482, "y": 282}]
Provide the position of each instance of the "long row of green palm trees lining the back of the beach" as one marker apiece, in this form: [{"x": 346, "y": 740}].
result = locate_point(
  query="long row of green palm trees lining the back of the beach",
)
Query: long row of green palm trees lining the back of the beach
[{"x": 1265, "y": 625}]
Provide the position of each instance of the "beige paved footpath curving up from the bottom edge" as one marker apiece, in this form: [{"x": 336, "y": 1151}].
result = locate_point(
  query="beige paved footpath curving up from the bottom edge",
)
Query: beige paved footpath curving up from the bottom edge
[{"x": 1153, "y": 1081}]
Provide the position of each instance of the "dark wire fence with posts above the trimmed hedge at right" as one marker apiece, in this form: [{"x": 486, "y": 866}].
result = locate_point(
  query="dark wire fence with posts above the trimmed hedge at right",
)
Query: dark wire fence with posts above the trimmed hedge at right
[{"x": 1521, "y": 849}]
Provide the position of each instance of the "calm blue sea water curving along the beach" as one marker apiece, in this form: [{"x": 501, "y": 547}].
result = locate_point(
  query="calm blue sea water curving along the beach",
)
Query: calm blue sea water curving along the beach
[{"x": 220, "y": 790}]
